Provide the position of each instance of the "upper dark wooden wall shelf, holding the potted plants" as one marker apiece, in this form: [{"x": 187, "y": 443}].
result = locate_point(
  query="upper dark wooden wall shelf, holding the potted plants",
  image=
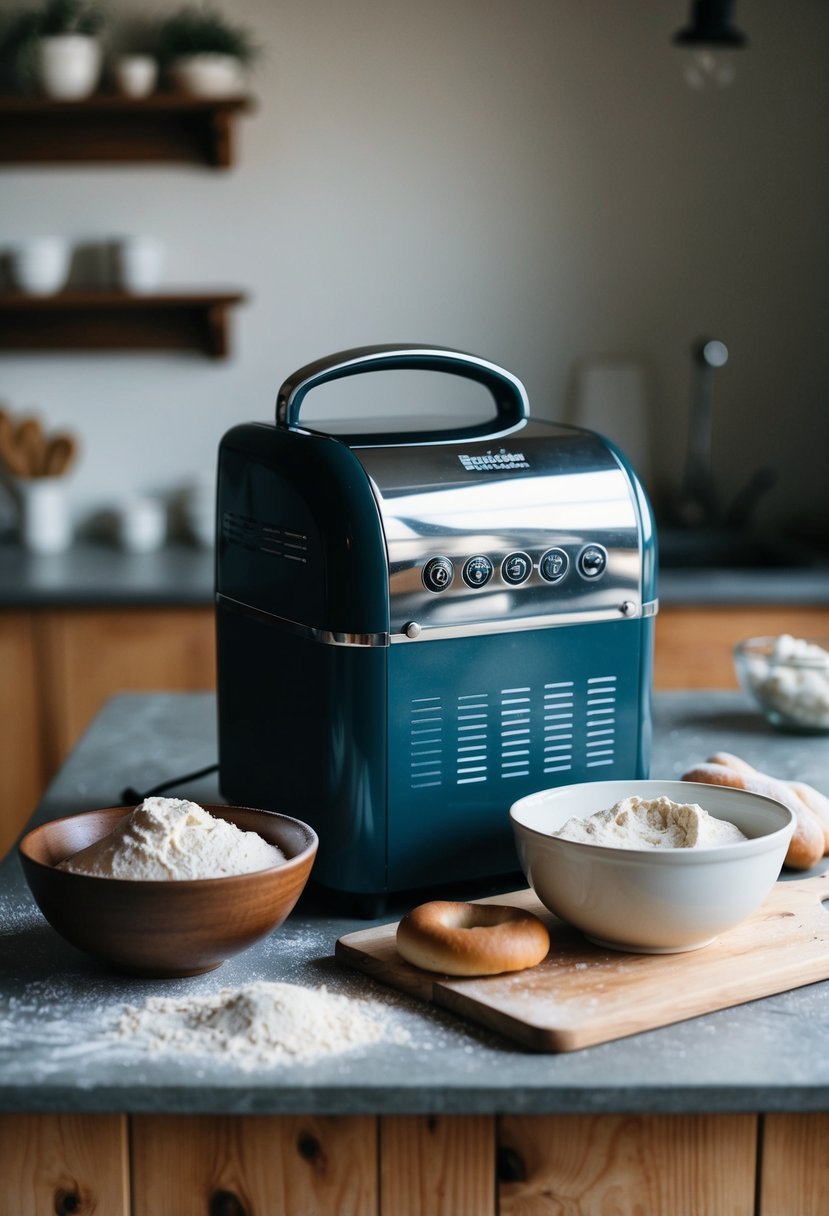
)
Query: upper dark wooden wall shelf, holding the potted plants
[{"x": 112, "y": 130}]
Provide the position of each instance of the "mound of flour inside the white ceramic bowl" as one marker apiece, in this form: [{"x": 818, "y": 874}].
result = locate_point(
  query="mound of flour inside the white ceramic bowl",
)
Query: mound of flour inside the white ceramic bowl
[{"x": 652, "y": 824}]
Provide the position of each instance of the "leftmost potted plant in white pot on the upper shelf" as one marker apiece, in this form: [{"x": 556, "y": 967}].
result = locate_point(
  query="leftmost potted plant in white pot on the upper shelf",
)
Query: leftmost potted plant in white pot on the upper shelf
[{"x": 58, "y": 47}]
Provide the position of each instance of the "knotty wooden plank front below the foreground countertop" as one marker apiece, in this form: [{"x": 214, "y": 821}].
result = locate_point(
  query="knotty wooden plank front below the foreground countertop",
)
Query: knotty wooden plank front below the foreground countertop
[{"x": 426, "y": 1166}]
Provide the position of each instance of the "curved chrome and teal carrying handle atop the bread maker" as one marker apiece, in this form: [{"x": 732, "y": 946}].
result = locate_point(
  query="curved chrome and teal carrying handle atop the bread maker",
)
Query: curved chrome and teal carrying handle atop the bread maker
[{"x": 511, "y": 402}]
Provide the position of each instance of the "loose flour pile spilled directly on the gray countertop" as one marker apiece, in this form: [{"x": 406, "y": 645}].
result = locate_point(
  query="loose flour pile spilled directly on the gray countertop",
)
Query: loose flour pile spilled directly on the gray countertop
[{"x": 261, "y": 1023}]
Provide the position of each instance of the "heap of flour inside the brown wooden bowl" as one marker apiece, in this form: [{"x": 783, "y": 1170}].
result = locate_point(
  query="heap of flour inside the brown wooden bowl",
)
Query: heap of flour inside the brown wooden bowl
[{"x": 168, "y": 838}]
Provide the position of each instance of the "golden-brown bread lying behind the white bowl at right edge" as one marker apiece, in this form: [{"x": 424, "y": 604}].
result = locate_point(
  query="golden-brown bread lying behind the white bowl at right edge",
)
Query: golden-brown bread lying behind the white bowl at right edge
[{"x": 810, "y": 841}]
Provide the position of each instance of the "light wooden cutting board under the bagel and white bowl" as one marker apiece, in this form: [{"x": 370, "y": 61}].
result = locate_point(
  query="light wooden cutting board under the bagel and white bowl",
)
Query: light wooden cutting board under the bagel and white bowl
[{"x": 584, "y": 995}]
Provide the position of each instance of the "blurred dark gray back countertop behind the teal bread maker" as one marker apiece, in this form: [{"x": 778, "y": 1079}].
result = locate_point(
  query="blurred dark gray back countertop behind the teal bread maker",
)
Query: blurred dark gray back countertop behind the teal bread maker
[{"x": 100, "y": 576}]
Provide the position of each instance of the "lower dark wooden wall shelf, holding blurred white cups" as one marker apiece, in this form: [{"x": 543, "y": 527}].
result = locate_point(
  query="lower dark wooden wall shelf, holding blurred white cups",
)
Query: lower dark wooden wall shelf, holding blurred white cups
[{"x": 104, "y": 320}]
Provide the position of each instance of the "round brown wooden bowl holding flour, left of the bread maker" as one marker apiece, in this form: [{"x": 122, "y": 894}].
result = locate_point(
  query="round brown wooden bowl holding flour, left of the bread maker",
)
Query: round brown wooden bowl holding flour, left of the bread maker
[{"x": 165, "y": 928}]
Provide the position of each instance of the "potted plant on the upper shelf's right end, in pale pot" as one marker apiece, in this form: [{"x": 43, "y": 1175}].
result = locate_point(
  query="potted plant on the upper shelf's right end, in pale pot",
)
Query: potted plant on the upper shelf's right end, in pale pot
[{"x": 205, "y": 54}]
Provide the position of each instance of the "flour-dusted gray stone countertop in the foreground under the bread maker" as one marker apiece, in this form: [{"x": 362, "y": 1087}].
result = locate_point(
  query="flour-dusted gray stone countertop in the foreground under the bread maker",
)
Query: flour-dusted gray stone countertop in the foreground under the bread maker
[{"x": 57, "y": 1004}]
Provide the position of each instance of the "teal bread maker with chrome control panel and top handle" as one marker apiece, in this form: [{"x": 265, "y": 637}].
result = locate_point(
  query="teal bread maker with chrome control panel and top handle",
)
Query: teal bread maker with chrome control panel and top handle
[{"x": 418, "y": 628}]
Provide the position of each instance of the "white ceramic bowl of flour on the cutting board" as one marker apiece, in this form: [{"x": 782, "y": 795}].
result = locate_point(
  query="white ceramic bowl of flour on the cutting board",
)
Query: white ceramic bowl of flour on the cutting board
[{"x": 651, "y": 902}]
